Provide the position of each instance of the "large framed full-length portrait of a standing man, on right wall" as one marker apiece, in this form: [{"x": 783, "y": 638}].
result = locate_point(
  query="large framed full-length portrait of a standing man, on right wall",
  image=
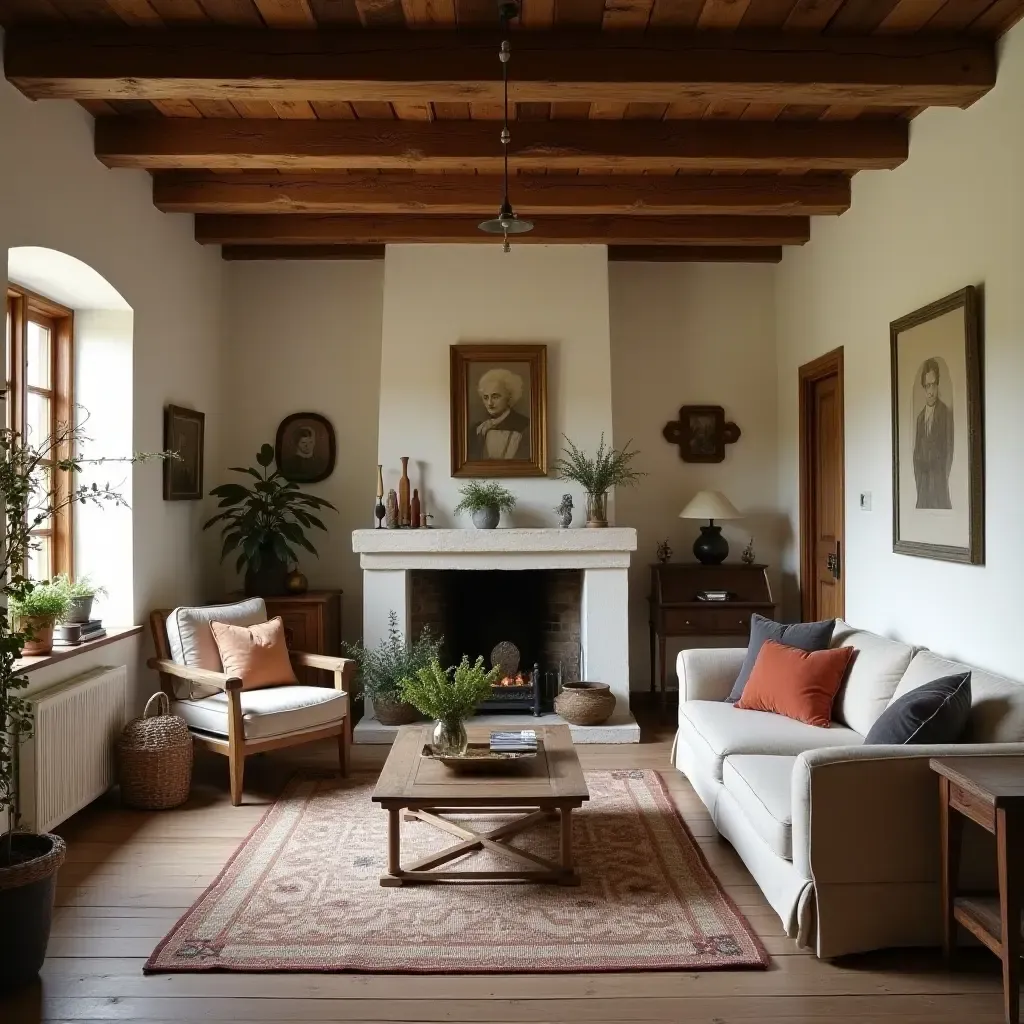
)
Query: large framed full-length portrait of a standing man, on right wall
[{"x": 936, "y": 491}]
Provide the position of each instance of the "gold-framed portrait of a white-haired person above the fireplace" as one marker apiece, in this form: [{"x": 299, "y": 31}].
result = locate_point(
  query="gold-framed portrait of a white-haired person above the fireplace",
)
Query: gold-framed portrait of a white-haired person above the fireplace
[{"x": 499, "y": 410}]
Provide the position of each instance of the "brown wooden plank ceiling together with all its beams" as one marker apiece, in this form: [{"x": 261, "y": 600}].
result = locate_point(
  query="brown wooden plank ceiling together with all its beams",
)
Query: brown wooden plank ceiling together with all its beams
[{"x": 668, "y": 130}]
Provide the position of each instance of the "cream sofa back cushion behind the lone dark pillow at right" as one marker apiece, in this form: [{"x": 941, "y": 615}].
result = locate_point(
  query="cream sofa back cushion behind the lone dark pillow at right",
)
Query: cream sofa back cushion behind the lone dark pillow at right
[{"x": 997, "y": 703}]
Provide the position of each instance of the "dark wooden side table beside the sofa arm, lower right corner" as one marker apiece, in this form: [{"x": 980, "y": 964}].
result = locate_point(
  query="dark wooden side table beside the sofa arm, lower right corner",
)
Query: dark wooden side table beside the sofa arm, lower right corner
[{"x": 990, "y": 792}]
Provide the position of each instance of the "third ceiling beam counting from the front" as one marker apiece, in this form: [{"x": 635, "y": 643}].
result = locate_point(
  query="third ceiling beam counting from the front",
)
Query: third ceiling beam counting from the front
[{"x": 207, "y": 192}]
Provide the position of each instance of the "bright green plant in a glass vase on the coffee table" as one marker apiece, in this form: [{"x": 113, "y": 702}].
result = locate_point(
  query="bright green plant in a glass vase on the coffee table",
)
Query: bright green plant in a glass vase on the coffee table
[{"x": 450, "y": 697}]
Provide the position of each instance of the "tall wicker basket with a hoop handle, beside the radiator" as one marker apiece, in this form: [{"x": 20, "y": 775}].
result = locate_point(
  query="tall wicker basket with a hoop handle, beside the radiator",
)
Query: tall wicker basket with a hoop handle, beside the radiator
[{"x": 155, "y": 755}]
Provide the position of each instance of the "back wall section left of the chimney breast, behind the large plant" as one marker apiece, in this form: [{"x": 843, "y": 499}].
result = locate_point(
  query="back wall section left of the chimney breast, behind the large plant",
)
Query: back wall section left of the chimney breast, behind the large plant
[{"x": 307, "y": 337}]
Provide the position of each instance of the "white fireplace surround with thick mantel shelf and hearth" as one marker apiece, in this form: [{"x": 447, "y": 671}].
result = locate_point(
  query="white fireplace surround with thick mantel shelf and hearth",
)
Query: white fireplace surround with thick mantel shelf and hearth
[{"x": 388, "y": 557}]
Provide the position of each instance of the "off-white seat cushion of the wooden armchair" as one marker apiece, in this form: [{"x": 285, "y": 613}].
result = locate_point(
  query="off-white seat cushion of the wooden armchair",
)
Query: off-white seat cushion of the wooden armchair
[{"x": 272, "y": 712}]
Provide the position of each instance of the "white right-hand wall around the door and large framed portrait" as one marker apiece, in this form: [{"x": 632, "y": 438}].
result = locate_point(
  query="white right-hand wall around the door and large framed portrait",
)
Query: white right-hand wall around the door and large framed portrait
[{"x": 953, "y": 216}]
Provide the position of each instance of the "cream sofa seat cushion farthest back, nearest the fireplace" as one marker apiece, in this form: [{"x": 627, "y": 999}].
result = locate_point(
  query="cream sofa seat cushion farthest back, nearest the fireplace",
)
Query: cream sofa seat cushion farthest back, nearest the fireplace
[{"x": 714, "y": 730}]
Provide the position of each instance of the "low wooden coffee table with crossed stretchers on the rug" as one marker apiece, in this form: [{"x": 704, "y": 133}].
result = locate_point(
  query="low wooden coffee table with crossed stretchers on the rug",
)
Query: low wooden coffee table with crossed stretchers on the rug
[{"x": 549, "y": 786}]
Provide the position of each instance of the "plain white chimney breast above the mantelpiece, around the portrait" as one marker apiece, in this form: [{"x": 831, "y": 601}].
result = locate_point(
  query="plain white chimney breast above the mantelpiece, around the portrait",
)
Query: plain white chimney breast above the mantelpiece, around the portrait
[{"x": 437, "y": 296}]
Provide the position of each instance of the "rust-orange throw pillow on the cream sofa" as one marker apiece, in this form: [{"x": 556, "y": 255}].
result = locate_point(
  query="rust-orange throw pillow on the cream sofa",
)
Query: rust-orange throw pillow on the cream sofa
[{"x": 796, "y": 684}]
